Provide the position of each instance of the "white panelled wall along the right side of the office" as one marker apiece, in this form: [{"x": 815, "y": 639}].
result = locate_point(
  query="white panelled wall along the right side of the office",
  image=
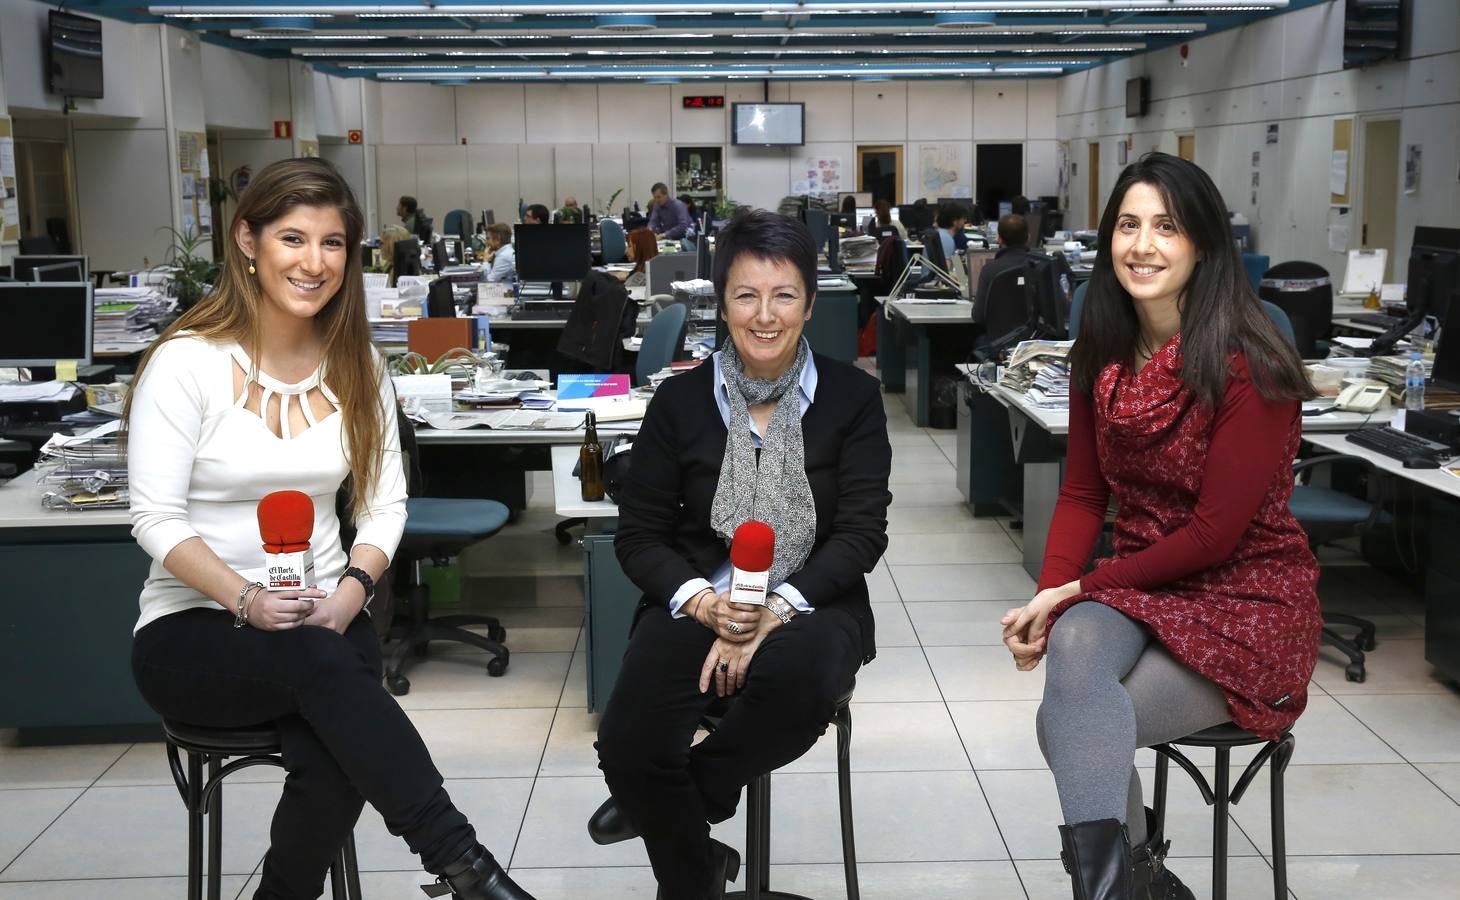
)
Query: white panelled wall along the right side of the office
[{"x": 1288, "y": 71}]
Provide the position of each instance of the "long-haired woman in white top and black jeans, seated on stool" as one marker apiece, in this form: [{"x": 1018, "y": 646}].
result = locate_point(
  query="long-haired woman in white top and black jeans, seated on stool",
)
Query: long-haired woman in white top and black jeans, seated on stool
[{"x": 272, "y": 385}]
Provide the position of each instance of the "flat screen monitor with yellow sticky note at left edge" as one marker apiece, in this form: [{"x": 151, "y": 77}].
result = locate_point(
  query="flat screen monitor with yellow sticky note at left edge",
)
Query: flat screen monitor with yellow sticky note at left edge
[{"x": 46, "y": 324}]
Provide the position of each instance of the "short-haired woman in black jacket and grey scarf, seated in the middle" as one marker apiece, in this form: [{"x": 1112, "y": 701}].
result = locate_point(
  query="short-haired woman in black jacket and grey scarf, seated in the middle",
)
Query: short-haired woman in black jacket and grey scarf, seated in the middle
[{"x": 767, "y": 432}]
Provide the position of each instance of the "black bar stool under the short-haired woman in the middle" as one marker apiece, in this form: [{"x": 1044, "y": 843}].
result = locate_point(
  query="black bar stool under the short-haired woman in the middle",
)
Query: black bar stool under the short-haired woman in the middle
[{"x": 758, "y": 816}]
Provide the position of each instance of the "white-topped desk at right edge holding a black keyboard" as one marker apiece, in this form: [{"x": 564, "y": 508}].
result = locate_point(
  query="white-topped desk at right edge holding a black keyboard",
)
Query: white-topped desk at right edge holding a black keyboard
[{"x": 1443, "y": 569}]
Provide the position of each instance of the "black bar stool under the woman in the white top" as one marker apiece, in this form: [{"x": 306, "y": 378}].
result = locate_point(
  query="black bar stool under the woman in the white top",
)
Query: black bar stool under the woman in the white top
[{"x": 253, "y": 746}]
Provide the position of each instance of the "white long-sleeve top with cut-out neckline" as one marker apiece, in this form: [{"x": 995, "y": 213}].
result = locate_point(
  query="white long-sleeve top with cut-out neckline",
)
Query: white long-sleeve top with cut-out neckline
[{"x": 199, "y": 464}]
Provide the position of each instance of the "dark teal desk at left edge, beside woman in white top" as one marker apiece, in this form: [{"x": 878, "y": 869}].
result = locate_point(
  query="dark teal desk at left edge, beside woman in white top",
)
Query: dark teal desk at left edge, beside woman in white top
[{"x": 66, "y": 619}]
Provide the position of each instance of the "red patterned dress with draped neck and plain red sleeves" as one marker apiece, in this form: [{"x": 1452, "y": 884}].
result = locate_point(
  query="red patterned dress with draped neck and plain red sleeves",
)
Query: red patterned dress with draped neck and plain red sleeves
[{"x": 1208, "y": 556}]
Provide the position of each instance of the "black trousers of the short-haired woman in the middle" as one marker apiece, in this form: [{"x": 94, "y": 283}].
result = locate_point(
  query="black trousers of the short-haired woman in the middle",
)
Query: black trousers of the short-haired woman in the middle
[{"x": 668, "y": 788}]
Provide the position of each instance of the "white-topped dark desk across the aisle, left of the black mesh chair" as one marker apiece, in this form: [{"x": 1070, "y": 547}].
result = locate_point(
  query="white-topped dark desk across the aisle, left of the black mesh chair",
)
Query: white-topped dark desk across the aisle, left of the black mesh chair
[{"x": 940, "y": 337}]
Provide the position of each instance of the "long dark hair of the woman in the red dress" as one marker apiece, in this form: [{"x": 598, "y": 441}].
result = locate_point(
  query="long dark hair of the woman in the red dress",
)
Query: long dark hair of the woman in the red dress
[{"x": 1221, "y": 313}]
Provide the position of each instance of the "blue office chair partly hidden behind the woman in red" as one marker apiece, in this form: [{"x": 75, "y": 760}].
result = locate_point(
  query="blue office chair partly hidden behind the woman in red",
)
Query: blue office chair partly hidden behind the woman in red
[{"x": 1328, "y": 515}]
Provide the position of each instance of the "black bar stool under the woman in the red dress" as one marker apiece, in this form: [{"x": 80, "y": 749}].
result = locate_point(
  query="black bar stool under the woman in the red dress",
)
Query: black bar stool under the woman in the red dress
[{"x": 1223, "y": 739}]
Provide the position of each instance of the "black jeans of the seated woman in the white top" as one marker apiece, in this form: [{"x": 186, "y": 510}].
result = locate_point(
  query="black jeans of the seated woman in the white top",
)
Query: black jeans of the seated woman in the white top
[{"x": 345, "y": 740}]
